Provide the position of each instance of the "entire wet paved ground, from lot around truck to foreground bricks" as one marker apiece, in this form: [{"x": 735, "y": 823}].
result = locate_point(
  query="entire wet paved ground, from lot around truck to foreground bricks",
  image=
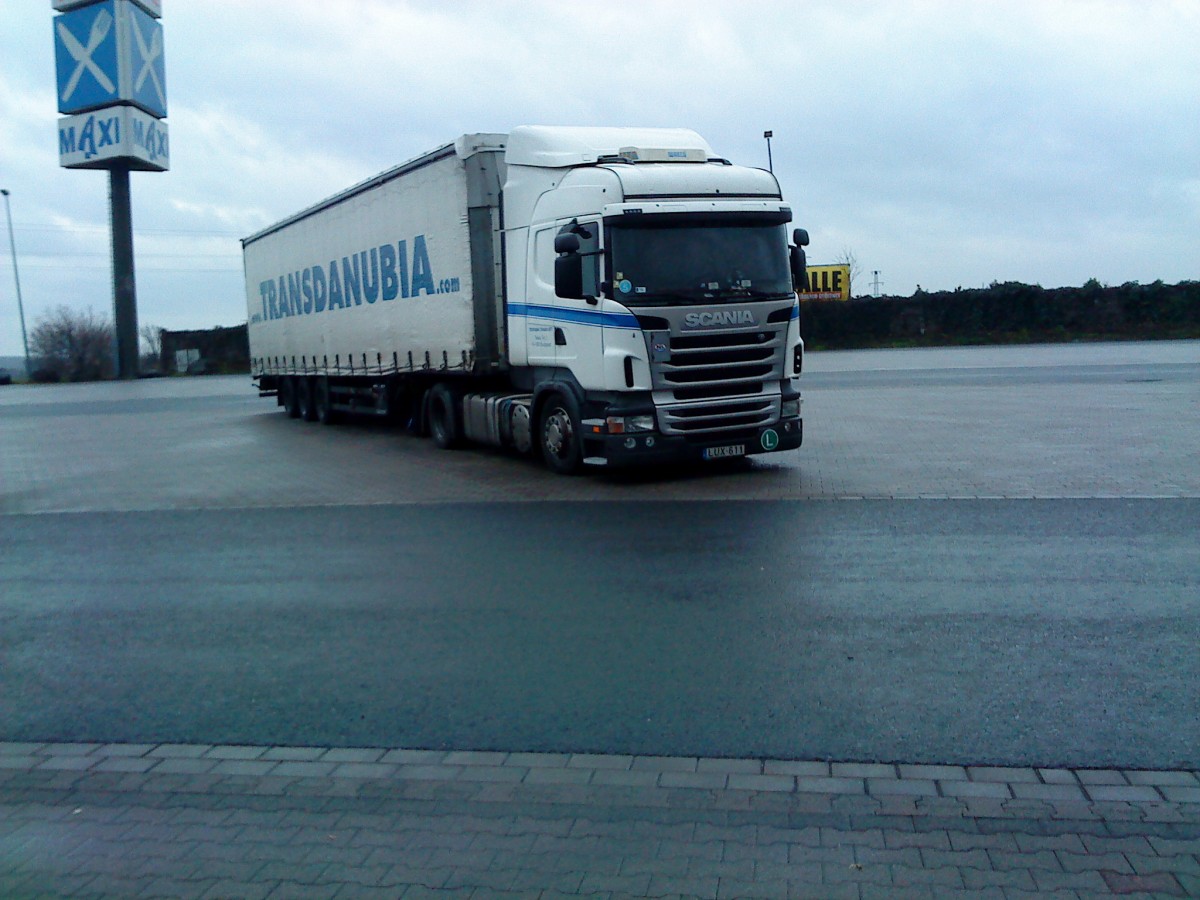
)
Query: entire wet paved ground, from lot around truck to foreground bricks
[{"x": 947, "y": 649}]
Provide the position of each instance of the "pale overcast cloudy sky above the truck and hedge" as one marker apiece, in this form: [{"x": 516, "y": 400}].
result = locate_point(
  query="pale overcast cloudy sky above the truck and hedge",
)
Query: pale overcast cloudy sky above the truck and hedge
[{"x": 944, "y": 145}]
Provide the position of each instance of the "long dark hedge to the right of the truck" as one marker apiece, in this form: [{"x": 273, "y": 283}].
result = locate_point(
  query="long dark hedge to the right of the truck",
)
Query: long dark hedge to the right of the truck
[{"x": 1006, "y": 314}]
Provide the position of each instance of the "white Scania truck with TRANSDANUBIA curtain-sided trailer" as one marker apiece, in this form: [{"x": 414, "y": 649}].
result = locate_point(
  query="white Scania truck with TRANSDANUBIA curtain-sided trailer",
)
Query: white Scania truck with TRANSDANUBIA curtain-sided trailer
[{"x": 598, "y": 297}]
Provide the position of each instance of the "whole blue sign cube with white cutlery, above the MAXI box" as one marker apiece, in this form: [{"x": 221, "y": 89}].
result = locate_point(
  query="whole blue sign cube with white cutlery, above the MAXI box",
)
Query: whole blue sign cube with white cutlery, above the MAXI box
[{"x": 110, "y": 52}]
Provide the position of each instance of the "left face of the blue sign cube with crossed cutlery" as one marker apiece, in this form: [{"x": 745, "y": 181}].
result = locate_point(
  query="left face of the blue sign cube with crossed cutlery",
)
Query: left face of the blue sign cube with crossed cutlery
[{"x": 86, "y": 52}]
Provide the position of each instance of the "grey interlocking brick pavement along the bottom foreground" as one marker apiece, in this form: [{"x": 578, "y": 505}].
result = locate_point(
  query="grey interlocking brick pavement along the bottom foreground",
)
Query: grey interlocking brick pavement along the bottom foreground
[{"x": 200, "y": 821}]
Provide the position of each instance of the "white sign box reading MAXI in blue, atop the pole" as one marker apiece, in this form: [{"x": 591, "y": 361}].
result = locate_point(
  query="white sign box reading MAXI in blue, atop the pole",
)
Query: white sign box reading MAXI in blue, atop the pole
[{"x": 93, "y": 141}]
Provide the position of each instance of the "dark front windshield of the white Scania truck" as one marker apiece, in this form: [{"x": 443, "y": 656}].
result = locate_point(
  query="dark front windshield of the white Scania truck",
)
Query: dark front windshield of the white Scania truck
[{"x": 676, "y": 265}]
